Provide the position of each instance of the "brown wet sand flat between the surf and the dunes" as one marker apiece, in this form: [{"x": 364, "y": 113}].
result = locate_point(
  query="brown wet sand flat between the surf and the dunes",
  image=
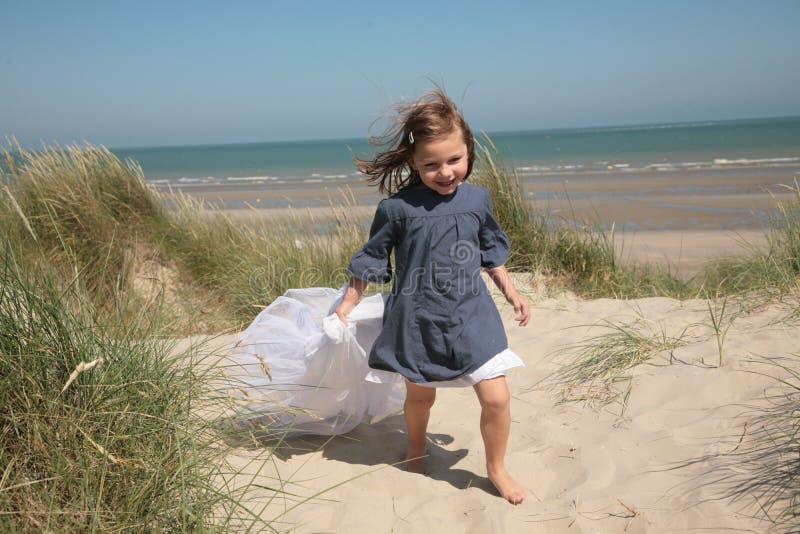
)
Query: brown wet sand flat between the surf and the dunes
[{"x": 653, "y": 201}]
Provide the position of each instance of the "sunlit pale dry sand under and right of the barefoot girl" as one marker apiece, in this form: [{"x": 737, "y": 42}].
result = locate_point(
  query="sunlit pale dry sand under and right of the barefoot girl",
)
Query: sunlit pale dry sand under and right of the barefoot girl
[{"x": 652, "y": 464}]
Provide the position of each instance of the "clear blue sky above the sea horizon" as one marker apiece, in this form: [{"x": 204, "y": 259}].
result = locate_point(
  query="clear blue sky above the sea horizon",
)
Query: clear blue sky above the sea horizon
[{"x": 173, "y": 73}]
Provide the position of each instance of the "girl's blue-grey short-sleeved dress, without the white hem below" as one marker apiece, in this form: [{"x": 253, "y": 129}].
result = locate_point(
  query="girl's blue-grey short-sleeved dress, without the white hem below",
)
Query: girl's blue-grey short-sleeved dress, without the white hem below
[{"x": 439, "y": 321}]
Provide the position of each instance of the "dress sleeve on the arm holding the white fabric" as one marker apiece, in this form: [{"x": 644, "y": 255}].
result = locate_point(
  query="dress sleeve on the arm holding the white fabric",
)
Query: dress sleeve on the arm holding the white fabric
[{"x": 371, "y": 263}]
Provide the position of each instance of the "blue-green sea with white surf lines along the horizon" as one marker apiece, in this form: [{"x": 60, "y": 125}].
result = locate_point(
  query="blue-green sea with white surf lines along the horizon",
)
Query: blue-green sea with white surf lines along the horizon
[{"x": 623, "y": 150}]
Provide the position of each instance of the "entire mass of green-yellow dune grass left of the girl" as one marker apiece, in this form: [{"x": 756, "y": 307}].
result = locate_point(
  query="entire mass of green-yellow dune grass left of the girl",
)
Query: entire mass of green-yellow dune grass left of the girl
[{"x": 105, "y": 427}]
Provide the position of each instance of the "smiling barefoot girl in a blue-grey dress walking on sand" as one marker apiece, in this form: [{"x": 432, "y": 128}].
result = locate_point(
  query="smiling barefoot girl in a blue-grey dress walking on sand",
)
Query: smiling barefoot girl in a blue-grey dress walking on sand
[{"x": 440, "y": 325}]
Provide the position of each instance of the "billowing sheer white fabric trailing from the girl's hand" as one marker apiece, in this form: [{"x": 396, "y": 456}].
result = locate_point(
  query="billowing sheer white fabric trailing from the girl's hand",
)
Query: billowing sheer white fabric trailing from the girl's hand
[{"x": 298, "y": 368}]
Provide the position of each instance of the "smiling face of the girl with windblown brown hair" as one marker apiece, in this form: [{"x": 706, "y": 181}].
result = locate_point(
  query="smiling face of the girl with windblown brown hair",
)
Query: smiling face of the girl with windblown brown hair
[{"x": 441, "y": 163}]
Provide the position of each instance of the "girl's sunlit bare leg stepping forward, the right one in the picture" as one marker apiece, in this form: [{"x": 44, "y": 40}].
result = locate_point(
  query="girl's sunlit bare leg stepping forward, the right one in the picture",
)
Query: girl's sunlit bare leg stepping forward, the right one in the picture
[{"x": 495, "y": 402}]
